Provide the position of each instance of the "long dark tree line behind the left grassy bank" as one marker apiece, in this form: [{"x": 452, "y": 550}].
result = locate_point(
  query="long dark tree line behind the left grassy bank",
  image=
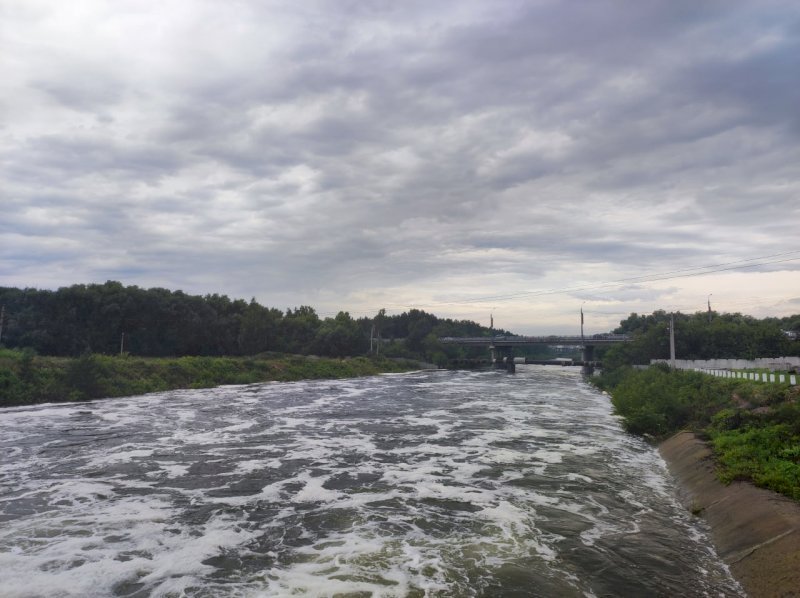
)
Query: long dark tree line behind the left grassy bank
[{"x": 159, "y": 322}]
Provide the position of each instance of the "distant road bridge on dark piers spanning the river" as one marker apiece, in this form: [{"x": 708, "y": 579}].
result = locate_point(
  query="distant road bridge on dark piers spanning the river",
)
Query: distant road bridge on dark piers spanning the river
[{"x": 502, "y": 347}]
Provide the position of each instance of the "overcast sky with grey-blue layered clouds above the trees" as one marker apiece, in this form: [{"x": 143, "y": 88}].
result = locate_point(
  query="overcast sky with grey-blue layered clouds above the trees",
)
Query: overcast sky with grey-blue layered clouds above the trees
[{"x": 526, "y": 159}]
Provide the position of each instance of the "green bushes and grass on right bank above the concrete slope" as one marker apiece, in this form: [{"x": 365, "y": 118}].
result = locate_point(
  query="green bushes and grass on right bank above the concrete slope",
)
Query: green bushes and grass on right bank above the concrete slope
[{"x": 754, "y": 429}]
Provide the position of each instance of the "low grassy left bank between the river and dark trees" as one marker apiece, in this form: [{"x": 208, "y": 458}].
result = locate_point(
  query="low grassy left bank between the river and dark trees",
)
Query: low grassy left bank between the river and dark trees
[{"x": 26, "y": 378}]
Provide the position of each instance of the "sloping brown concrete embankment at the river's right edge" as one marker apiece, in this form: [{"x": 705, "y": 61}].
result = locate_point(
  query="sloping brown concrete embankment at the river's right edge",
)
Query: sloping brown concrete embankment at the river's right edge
[{"x": 755, "y": 531}]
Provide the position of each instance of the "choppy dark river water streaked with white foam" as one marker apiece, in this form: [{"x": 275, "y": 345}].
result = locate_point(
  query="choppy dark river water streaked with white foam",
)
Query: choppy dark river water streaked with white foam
[{"x": 425, "y": 484}]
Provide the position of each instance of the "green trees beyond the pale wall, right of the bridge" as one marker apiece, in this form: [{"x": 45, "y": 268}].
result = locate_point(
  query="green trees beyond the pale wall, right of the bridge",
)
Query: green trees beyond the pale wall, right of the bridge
[{"x": 703, "y": 336}]
